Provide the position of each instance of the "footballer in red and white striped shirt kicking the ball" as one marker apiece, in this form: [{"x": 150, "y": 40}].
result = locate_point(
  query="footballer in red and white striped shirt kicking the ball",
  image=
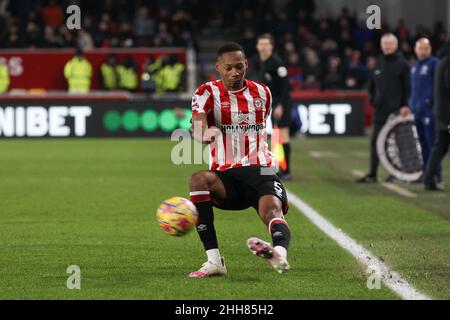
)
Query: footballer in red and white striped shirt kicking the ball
[{"x": 230, "y": 115}]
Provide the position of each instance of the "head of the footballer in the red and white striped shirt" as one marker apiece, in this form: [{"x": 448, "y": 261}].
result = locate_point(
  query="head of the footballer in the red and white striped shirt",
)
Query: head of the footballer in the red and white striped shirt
[{"x": 231, "y": 65}]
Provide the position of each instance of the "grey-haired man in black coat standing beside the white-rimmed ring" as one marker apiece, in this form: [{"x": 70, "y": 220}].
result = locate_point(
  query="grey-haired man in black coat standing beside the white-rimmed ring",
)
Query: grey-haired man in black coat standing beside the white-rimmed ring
[{"x": 389, "y": 92}]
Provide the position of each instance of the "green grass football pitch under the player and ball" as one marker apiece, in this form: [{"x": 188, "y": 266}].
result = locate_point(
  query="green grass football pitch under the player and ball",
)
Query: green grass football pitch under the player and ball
[{"x": 92, "y": 203}]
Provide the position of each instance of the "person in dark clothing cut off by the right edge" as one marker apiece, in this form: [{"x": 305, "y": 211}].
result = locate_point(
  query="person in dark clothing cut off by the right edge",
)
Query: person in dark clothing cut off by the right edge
[{"x": 442, "y": 112}]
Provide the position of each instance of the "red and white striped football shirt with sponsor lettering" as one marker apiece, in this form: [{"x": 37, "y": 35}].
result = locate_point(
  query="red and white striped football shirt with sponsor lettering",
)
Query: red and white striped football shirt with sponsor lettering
[{"x": 241, "y": 116}]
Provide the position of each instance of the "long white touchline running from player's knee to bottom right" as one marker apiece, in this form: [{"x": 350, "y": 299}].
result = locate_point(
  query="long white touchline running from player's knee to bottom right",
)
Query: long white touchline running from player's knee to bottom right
[{"x": 391, "y": 278}]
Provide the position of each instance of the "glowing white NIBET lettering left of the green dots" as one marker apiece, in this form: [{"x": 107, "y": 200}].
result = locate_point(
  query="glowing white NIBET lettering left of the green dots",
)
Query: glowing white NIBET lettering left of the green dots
[{"x": 37, "y": 121}]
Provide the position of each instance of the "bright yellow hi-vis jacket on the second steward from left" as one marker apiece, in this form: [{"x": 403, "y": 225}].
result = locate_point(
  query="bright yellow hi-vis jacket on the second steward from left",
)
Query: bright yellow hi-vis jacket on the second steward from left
[{"x": 78, "y": 73}]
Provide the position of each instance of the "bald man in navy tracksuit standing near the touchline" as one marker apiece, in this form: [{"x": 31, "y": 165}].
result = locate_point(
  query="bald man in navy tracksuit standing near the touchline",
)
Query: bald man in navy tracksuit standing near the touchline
[{"x": 421, "y": 99}]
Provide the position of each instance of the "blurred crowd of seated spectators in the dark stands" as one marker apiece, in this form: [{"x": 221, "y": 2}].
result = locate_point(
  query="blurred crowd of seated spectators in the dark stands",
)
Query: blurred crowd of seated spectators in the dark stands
[{"x": 320, "y": 53}]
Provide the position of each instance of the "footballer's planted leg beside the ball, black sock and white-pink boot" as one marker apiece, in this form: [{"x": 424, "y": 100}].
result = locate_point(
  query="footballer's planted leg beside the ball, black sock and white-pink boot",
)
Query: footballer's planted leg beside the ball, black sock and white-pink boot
[{"x": 206, "y": 189}]
